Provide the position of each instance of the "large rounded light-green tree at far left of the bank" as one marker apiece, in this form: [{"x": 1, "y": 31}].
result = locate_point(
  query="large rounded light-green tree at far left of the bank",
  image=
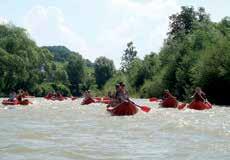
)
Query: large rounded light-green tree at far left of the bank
[{"x": 21, "y": 59}]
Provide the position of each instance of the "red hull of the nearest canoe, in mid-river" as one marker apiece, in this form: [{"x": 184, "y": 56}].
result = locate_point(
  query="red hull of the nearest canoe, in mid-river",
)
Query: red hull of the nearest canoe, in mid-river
[{"x": 123, "y": 109}]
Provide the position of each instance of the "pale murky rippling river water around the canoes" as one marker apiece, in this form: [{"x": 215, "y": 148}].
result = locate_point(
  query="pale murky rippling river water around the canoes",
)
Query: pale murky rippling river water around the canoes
[{"x": 66, "y": 130}]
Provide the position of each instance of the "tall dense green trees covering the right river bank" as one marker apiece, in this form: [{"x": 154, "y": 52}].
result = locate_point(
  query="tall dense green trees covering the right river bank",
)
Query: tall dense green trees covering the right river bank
[{"x": 196, "y": 53}]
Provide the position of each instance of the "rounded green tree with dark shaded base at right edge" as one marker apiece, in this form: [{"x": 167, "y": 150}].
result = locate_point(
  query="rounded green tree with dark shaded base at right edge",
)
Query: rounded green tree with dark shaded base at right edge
[{"x": 212, "y": 72}]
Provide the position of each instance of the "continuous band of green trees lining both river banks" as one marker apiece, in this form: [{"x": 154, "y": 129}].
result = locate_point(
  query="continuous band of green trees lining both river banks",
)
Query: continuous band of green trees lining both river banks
[{"x": 196, "y": 52}]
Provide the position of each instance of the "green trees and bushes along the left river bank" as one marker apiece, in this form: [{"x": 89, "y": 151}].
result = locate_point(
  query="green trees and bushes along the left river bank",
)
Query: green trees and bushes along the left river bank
[{"x": 24, "y": 65}]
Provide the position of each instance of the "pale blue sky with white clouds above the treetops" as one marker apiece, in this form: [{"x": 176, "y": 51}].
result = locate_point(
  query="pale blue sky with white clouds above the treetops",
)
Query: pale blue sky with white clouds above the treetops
[{"x": 101, "y": 27}]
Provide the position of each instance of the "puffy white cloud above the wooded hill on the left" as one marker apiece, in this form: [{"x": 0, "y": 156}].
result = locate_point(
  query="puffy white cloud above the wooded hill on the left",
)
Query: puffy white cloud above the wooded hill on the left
[{"x": 48, "y": 27}]
